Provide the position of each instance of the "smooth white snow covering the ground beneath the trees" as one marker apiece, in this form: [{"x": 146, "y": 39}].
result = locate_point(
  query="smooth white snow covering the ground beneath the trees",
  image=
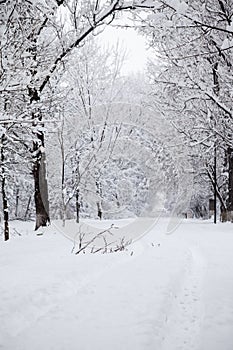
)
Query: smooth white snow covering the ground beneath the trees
[{"x": 166, "y": 292}]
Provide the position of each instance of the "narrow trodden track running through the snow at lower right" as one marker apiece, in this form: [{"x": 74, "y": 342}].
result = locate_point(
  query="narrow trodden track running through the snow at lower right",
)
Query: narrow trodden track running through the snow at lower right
[{"x": 184, "y": 321}]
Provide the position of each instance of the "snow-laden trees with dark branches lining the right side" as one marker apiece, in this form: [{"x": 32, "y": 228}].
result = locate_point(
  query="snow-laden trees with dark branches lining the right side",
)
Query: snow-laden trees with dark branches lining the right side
[{"x": 192, "y": 88}]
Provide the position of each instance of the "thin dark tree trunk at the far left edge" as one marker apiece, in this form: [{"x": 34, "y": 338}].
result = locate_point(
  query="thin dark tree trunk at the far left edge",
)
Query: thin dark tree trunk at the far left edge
[{"x": 4, "y": 195}]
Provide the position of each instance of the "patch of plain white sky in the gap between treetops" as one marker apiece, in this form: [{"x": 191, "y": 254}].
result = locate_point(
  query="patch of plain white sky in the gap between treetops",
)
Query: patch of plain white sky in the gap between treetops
[{"x": 133, "y": 43}]
